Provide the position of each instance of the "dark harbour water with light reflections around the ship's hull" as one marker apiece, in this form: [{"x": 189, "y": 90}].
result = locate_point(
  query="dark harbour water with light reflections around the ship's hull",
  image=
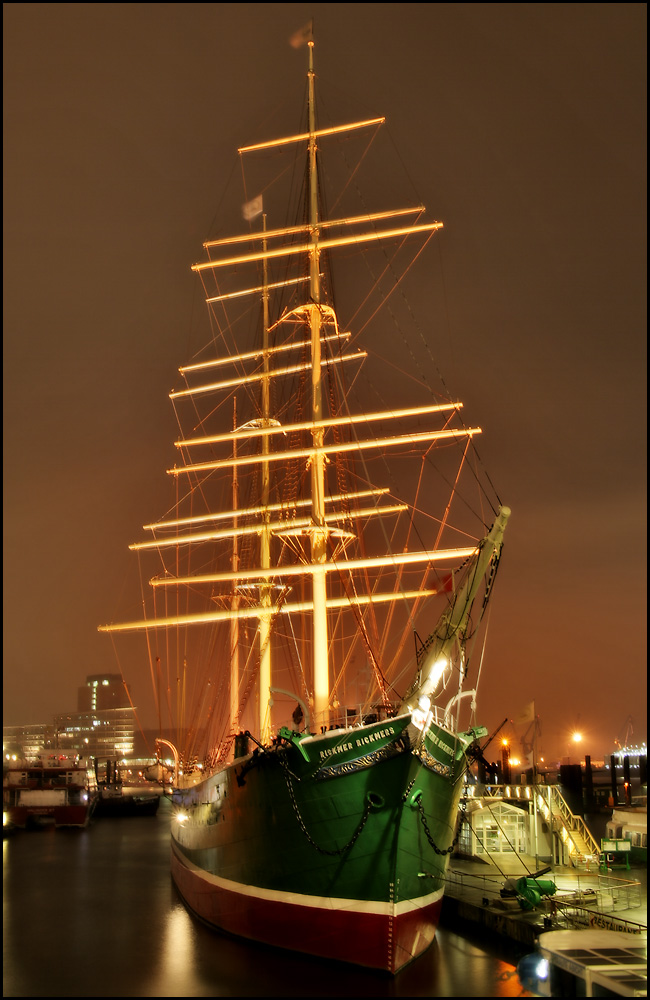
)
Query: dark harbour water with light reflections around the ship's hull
[{"x": 94, "y": 913}]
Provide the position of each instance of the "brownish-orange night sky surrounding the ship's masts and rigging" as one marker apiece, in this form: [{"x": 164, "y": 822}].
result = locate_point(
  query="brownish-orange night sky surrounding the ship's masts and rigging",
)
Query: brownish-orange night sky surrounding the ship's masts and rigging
[{"x": 521, "y": 127}]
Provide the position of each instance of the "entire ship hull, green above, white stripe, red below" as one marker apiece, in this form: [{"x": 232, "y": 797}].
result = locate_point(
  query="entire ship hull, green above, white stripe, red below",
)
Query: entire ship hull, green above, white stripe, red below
[{"x": 348, "y": 831}]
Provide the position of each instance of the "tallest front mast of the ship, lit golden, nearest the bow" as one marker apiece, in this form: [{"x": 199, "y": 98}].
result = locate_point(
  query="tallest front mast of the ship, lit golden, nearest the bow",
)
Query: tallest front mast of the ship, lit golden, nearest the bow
[{"x": 318, "y": 528}]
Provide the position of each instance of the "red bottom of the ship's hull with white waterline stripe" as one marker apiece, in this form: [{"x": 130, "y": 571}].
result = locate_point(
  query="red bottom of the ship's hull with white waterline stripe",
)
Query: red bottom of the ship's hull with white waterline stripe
[{"x": 367, "y": 934}]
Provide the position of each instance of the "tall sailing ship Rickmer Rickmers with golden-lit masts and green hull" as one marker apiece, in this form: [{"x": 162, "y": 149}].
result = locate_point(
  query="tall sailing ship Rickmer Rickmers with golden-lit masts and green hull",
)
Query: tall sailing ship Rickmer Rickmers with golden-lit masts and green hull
[{"x": 321, "y": 582}]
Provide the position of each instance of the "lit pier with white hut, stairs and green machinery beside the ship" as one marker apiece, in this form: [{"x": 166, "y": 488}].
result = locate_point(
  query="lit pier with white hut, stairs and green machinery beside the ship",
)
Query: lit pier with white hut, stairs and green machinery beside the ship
[{"x": 515, "y": 839}]
